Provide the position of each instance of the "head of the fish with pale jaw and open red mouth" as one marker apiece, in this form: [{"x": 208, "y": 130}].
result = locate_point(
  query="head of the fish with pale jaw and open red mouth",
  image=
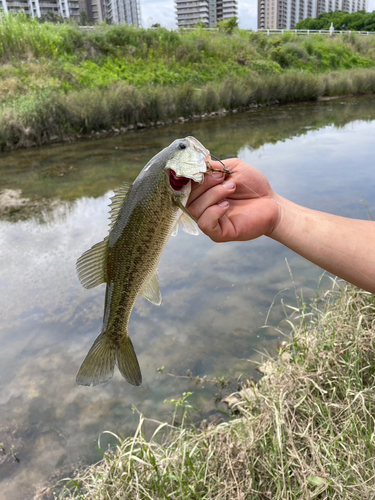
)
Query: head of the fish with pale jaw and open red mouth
[{"x": 187, "y": 160}]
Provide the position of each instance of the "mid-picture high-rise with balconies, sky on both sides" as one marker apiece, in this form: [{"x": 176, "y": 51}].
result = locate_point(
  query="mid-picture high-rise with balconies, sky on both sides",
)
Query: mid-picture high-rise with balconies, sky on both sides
[{"x": 208, "y": 12}]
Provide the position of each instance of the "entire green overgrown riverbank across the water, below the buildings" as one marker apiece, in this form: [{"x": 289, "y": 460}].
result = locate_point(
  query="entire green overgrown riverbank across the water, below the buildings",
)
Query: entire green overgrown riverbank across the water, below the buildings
[{"x": 59, "y": 83}]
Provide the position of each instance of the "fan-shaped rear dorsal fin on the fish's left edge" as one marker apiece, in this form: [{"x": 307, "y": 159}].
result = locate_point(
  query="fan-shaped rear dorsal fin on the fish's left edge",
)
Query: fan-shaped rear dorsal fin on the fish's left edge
[{"x": 92, "y": 265}]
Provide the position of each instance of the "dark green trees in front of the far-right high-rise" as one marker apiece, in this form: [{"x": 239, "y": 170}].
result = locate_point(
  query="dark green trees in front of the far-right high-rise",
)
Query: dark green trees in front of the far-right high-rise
[{"x": 358, "y": 21}]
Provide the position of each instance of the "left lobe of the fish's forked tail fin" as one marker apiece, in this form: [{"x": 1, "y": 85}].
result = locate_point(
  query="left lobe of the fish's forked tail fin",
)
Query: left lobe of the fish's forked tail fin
[{"x": 99, "y": 363}]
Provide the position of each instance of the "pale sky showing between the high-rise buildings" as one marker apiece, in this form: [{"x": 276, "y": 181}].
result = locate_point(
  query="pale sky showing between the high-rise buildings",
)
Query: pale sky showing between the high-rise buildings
[{"x": 163, "y": 12}]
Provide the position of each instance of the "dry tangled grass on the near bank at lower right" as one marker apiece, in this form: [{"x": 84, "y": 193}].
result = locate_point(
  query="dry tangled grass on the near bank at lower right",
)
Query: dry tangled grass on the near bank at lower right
[{"x": 306, "y": 430}]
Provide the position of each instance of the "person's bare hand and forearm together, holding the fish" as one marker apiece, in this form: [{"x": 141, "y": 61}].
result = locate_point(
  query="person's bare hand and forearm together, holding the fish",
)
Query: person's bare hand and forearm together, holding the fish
[{"x": 242, "y": 206}]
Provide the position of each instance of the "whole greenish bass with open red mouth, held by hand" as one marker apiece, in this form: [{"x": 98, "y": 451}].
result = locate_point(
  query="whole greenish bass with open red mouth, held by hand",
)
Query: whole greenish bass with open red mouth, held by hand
[{"x": 142, "y": 219}]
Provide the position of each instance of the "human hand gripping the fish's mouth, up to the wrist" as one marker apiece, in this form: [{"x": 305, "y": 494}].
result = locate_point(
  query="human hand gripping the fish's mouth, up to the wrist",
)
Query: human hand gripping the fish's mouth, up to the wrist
[{"x": 234, "y": 207}]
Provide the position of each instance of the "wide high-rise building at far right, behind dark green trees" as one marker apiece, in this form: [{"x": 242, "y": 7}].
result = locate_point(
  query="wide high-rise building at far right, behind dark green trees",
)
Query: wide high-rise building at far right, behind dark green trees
[{"x": 285, "y": 14}]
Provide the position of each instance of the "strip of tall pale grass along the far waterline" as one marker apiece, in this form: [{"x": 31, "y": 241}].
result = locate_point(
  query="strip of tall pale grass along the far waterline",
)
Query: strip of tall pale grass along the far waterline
[{"x": 42, "y": 116}]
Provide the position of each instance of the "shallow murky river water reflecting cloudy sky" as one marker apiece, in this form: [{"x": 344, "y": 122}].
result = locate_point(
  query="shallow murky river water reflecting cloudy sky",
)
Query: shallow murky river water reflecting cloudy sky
[{"x": 215, "y": 297}]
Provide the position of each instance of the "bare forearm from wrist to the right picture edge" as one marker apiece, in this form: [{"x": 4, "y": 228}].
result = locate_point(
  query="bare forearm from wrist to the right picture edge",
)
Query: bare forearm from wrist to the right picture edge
[{"x": 344, "y": 247}]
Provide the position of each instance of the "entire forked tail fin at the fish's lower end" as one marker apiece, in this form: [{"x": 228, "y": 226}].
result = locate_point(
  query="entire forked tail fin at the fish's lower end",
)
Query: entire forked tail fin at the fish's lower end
[{"x": 98, "y": 366}]
